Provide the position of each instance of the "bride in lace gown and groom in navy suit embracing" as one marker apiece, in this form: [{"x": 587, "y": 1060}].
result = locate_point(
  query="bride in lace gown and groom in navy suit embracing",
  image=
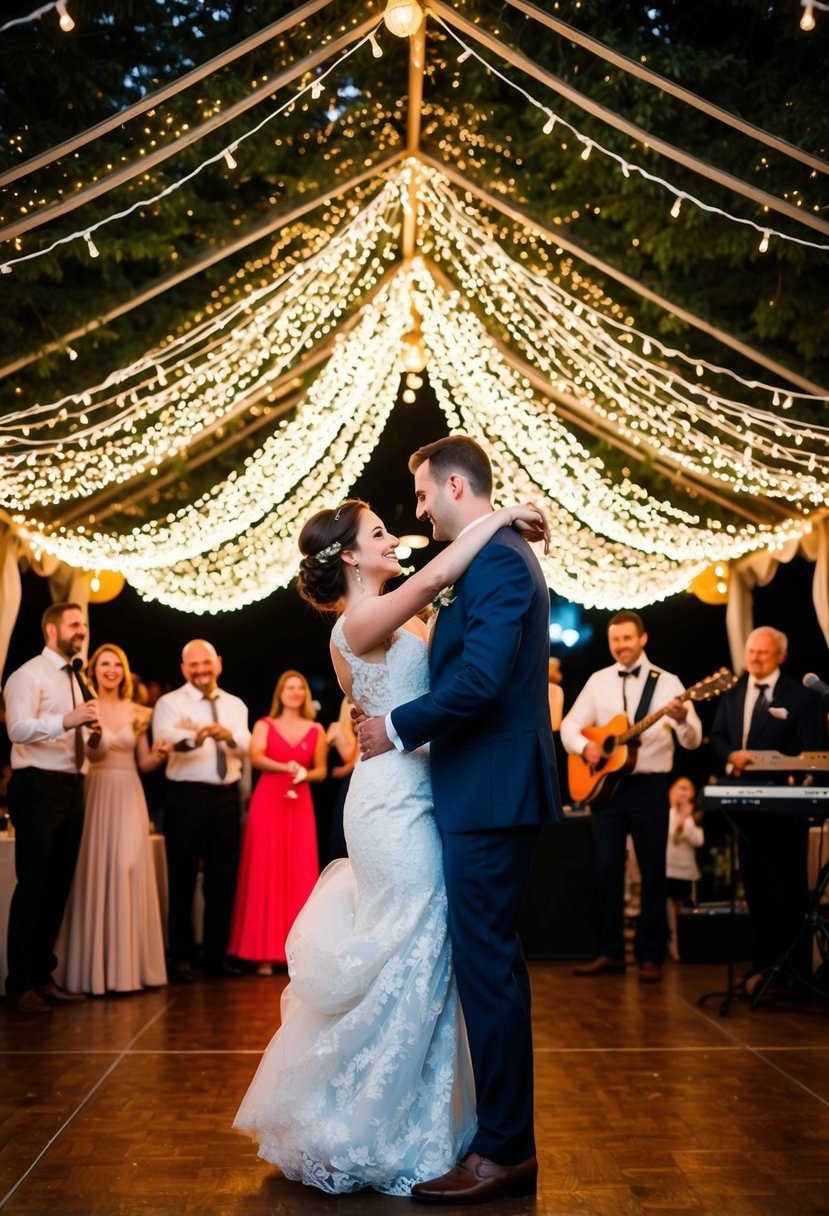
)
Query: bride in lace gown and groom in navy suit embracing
[{"x": 404, "y": 1061}]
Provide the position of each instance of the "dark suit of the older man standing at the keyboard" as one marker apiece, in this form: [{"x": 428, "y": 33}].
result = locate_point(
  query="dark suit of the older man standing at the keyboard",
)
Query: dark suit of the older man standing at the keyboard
[{"x": 772, "y": 848}]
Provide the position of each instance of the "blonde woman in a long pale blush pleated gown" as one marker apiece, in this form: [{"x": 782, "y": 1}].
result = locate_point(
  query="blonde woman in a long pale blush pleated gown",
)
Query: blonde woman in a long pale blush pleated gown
[{"x": 114, "y": 922}]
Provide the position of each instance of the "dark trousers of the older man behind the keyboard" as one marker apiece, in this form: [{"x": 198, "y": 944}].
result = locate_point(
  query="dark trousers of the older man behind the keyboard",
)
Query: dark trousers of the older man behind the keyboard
[{"x": 774, "y": 853}]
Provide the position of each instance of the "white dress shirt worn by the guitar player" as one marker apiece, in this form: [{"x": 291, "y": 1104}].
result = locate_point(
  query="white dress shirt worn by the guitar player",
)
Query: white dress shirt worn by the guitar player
[{"x": 604, "y": 697}]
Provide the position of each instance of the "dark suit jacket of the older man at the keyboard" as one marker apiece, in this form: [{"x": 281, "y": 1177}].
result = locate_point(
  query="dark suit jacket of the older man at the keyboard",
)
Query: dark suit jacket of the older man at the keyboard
[{"x": 803, "y": 730}]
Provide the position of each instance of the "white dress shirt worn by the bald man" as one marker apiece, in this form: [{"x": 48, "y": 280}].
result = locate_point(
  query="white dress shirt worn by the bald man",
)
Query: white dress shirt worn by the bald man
[{"x": 181, "y": 714}]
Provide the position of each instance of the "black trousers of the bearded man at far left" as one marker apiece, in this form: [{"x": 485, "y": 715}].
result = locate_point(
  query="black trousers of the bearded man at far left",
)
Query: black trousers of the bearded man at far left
[{"x": 48, "y": 813}]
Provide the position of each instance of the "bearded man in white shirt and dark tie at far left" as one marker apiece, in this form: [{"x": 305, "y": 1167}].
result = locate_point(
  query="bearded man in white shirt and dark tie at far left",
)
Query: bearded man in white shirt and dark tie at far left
[{"x": 46, "y": 716}]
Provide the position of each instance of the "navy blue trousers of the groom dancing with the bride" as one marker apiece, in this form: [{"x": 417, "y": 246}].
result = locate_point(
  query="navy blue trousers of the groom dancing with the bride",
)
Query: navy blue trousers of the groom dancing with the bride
[{"x": 487, "y": 880}]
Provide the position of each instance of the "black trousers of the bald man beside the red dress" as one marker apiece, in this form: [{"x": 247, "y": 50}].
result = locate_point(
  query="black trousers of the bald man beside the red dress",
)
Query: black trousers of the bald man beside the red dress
[{"x": 201, "y": 824}]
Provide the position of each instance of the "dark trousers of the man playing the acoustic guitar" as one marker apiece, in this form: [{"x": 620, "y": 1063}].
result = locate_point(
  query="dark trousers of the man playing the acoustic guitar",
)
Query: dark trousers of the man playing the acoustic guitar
[{"x": 639, "y": 808}]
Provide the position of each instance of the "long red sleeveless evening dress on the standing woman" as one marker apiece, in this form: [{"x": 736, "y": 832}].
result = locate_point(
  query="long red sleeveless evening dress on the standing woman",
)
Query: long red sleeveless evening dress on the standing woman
[{"x": 279, "y": 865}]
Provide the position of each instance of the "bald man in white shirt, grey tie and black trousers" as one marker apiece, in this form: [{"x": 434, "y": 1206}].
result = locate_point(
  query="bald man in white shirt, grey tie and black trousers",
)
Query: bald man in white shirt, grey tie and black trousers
[{"x": 208, "y": 733}]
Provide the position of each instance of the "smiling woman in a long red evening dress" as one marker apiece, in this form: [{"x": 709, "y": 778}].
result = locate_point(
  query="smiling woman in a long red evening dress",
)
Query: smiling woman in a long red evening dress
[{"x": 280, "y": 864}]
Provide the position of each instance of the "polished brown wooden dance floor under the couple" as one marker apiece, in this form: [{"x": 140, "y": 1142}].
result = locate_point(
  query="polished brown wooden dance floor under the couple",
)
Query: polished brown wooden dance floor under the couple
[{"x": 645, "y": 1105}]
